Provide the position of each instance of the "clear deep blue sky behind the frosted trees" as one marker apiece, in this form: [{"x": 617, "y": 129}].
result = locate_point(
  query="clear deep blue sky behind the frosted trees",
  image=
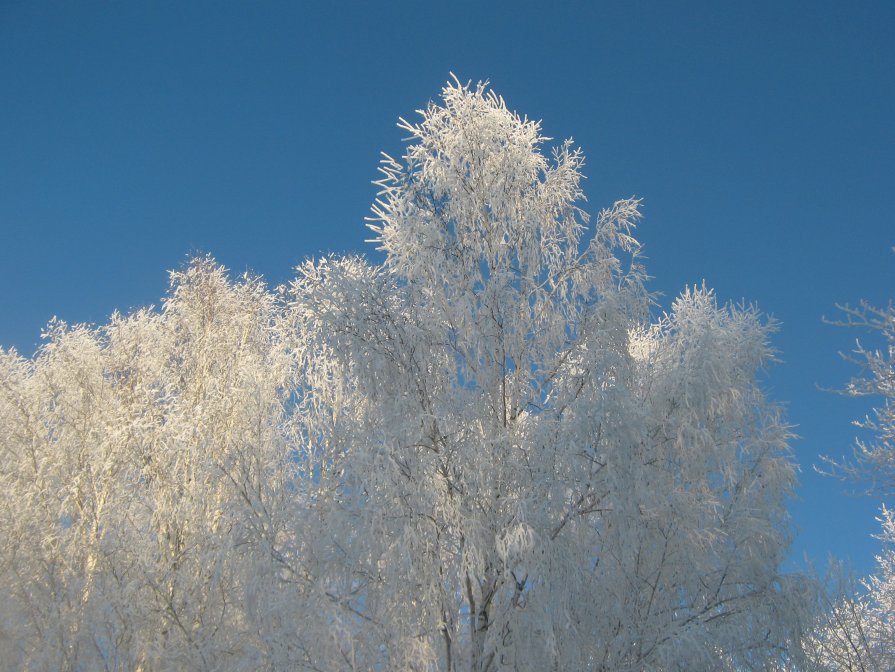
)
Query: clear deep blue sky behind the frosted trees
[{"x": 759, "y": 134}]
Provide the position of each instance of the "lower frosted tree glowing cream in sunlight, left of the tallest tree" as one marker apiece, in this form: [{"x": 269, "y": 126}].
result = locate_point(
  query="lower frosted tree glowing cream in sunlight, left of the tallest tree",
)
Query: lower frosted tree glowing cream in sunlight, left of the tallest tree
[{"x": 150, "y": 506}]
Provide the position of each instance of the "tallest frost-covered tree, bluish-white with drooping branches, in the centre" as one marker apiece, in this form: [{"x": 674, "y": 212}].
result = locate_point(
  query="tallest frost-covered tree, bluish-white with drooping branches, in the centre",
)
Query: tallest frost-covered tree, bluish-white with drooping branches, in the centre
[{"x": 525, "y": 473}]
